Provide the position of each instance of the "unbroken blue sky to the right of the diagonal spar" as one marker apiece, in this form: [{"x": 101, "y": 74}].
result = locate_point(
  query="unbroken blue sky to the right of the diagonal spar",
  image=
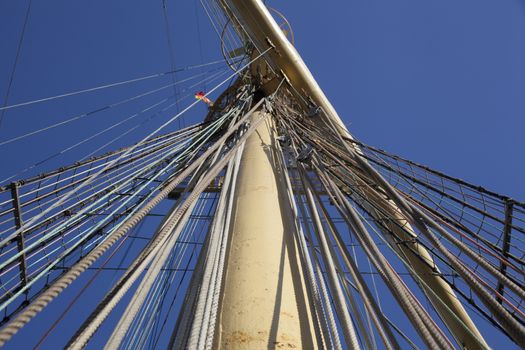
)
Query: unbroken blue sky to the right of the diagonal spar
[{"x": 439, "y": 82}]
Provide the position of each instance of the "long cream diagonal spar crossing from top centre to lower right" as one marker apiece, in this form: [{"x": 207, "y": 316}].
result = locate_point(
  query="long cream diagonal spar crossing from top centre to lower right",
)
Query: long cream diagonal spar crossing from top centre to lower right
[{"x": 257, "y": 22}]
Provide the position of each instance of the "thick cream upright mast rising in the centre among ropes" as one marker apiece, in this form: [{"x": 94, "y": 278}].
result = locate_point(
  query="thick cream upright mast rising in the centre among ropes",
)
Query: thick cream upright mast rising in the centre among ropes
[{"x": 264, "y": 300}]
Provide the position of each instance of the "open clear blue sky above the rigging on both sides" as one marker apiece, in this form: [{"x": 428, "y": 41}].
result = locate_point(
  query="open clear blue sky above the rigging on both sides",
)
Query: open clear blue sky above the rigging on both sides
[{"x": 438, "y": 82}]
